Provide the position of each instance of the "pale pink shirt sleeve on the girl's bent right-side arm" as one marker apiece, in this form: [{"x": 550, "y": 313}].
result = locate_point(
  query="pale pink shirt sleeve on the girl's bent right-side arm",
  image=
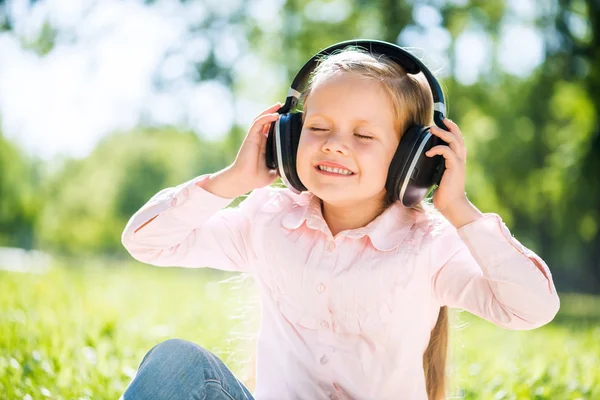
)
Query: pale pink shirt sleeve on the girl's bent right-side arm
[{"x": 492, "y": 275}]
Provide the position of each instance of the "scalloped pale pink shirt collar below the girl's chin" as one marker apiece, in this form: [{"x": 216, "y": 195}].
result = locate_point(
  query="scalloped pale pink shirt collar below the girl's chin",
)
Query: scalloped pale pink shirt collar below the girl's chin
[{"x": 385, "y": 232}]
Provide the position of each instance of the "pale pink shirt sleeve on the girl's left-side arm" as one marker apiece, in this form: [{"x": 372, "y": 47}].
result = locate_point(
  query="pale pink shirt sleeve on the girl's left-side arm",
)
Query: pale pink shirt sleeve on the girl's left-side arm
[{"x": 187, "y": 226}]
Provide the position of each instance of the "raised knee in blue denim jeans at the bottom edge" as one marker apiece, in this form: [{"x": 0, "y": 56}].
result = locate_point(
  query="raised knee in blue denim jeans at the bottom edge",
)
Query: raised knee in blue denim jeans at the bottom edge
[{"x": 177, "y": 369}]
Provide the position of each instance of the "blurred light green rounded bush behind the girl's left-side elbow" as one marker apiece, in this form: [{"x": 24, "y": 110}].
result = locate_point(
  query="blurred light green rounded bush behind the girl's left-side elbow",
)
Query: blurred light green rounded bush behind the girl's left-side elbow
[{"x": 90, "y": 200}]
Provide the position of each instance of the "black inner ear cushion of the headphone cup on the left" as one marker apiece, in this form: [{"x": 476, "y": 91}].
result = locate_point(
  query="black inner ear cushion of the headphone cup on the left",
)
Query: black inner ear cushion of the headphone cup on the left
[{"x": 290, "y": 128}]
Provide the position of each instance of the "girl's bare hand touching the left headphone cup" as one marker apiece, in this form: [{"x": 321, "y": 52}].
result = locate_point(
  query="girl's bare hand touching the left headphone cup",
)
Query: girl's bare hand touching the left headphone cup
[{"x": 249, "y": 165}]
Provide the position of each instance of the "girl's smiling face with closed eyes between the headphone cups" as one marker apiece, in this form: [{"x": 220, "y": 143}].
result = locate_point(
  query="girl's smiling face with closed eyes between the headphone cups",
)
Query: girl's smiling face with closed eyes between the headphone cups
[{"x": 349, "y": 120}]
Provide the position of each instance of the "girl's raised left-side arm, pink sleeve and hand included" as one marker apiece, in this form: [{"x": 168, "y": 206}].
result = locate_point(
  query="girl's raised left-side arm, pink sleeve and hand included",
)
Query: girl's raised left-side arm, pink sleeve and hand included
[{"x": 186, "y": 226}]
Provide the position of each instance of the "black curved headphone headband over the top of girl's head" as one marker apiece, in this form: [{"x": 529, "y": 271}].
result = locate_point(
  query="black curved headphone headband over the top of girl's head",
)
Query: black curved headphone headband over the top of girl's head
[{"x": 409, "y": 62}]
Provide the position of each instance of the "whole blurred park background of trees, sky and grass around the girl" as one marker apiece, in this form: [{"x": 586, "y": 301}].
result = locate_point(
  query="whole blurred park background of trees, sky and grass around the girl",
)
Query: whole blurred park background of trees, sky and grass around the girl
[{"x": 103, "y": 103}]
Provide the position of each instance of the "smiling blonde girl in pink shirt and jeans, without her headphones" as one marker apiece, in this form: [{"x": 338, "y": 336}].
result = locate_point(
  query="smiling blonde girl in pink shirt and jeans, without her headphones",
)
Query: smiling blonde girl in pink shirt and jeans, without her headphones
[{"x": 354, "y": 287}]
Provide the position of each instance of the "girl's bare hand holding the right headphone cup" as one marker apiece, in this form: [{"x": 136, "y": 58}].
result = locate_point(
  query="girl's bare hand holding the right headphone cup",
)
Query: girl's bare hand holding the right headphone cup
[{"x": 451, "y": 192}]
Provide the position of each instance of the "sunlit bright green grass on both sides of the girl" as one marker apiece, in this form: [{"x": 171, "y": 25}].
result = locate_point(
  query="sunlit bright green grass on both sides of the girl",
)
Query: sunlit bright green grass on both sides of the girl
[{"x": 80, "y": 333}]
